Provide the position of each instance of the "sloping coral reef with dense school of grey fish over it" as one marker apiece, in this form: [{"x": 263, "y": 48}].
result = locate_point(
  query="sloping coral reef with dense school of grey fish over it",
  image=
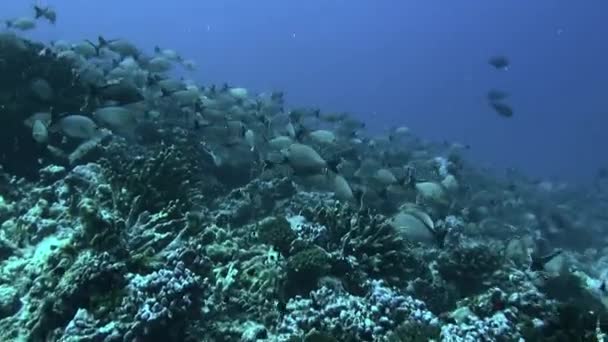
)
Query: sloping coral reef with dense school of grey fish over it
[{"x": 190, "y": 228}]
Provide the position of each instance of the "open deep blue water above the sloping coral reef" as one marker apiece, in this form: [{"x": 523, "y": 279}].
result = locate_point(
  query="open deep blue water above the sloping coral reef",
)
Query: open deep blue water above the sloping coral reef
[{"x": 415, "y": 63}]
